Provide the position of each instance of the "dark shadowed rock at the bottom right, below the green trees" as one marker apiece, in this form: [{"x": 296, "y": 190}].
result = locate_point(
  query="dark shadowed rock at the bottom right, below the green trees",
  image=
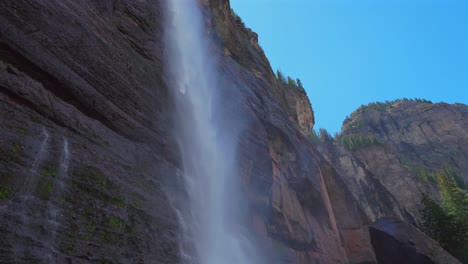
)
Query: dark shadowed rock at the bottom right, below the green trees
[{"x": 395, "y": 241}]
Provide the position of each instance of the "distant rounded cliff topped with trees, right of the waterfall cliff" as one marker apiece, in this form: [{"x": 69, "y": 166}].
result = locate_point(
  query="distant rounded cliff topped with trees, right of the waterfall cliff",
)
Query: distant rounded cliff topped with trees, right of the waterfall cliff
[{"x": 401, "y": 145}]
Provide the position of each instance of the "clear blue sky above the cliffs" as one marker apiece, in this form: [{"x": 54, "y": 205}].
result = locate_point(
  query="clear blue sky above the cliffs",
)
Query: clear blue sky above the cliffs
[{"x": 352, "y": 52}]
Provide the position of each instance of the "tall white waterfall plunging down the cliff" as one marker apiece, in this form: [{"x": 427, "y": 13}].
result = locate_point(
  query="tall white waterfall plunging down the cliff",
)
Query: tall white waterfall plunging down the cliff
[{"x": 207, "y": 146}]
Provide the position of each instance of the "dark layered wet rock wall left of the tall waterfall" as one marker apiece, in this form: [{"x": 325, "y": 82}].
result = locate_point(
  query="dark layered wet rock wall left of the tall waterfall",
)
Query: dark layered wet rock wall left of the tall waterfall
[{"x": 85, "y": 142}]
